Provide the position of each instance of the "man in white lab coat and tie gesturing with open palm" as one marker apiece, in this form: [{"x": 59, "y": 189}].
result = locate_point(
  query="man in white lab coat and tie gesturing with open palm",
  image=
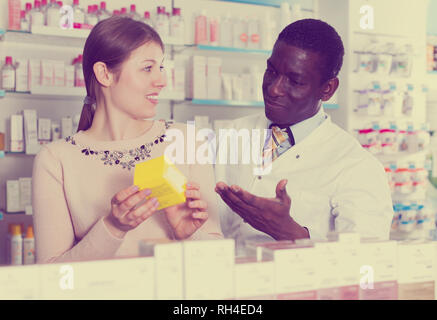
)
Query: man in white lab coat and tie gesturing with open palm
[{"x": 321, "y": 179}]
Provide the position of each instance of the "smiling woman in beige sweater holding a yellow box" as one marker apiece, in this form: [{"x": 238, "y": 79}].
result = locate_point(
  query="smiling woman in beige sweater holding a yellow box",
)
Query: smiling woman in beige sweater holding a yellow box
[{"x": 85, "y": 206}]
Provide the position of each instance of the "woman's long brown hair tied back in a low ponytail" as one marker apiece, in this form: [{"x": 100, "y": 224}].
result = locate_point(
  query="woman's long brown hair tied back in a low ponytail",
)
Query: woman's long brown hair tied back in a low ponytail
[{"x": 111, "y": 41}]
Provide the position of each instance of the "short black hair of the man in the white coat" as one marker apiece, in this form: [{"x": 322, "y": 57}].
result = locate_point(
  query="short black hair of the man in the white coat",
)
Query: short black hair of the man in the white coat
[{"x": 319, "y": 37}]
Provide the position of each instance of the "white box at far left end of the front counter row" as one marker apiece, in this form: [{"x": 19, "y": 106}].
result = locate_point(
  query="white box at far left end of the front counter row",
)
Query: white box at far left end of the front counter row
[{"x": 20, "y": 283}]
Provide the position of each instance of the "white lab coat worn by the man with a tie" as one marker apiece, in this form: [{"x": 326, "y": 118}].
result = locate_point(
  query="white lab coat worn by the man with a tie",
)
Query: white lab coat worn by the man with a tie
[{"x": 328, "y": 169}]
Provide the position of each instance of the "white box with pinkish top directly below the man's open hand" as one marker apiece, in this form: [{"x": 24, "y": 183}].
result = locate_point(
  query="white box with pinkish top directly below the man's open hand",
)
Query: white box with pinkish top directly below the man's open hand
[{"x": 295, "y": 271}]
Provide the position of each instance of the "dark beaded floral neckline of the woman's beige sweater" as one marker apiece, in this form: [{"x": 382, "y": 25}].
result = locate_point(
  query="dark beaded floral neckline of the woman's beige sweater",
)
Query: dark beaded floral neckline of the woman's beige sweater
[{"x": 124, "y": 158}]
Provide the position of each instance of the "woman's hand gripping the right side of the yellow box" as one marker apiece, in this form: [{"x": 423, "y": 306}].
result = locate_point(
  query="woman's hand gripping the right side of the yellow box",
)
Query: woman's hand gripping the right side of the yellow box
[{"x": 186, "y": 218}]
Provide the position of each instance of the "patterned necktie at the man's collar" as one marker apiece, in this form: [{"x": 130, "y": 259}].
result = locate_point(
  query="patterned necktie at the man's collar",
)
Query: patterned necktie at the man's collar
[{"x": 280, "y": 140}]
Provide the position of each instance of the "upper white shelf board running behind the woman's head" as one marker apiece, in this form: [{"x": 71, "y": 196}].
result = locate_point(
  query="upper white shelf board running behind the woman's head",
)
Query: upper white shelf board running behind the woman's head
[{"x": 62, "y": 37}]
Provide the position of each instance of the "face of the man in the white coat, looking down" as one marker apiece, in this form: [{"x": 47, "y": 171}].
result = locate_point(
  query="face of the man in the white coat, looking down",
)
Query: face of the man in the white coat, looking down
[{"x": 292, "y": 85}]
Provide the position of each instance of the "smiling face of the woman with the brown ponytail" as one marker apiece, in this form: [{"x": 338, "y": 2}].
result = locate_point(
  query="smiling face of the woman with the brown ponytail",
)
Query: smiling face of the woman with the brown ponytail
[{"x": 141, "y": 79}]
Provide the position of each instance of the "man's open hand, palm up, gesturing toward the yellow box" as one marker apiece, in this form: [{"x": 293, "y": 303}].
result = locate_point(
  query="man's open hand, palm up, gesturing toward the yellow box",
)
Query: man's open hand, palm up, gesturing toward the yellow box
[{"x": 269, "y": 215}]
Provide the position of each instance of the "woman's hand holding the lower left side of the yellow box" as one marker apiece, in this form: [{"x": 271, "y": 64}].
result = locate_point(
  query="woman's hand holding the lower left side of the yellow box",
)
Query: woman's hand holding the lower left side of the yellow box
[{"x": 128, "y": 211}]
